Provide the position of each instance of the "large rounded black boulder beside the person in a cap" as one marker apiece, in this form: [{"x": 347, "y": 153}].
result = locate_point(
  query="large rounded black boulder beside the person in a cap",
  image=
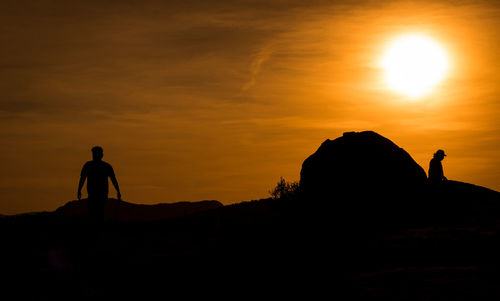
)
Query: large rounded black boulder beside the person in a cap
[{"x": 359, "y": 162}]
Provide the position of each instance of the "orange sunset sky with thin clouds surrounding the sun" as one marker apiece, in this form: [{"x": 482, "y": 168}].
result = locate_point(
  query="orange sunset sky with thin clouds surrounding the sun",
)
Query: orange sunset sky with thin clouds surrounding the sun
[{"x": 196, "y": 100}]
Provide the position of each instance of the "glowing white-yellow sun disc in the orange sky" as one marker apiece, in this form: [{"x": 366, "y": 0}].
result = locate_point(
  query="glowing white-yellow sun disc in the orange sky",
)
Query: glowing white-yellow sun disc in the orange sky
[{"x": 414, "y": 65}]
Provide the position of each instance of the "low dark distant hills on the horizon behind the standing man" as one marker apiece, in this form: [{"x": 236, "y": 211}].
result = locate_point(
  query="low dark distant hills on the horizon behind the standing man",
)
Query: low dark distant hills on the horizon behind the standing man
[{"x": 125, "y": 211}]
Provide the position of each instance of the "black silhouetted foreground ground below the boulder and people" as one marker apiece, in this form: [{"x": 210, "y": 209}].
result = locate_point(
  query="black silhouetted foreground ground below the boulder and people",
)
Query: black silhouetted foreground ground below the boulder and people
[{"x": 432, "y": 244}]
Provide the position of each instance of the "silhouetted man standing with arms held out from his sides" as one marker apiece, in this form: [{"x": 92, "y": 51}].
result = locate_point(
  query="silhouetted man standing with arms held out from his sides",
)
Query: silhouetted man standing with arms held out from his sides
[{"x": 97, "y": 173}]
